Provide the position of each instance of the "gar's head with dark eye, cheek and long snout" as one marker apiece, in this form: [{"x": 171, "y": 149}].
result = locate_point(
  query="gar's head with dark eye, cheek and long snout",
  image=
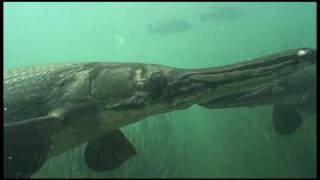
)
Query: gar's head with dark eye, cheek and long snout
[{"x": 136, "y": 91}]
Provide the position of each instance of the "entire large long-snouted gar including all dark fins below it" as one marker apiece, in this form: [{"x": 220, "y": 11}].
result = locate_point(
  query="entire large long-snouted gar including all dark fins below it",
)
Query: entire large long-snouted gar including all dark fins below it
[{"x": 51, "y": 109}]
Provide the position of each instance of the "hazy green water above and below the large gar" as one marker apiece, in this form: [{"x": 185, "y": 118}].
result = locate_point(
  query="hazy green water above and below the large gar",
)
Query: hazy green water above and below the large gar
[{"x": 196, "y": 142}]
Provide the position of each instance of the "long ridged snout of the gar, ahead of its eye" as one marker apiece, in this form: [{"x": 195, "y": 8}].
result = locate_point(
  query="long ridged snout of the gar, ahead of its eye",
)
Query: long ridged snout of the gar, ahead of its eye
[{"x": 261, "y": 81}]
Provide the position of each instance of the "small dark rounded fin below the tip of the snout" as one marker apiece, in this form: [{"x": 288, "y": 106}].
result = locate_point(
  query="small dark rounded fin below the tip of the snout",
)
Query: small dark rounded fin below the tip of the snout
[{"x": 285, "y": 119}]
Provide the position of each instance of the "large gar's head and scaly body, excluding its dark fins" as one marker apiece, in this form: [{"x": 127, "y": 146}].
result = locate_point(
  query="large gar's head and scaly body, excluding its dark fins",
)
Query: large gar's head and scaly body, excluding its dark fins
[{"x": 89, "y": 99}]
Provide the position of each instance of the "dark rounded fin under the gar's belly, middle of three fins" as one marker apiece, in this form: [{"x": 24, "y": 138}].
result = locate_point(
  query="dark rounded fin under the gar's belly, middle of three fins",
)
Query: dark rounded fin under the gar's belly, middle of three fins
[{"x": 108, "y": 152}]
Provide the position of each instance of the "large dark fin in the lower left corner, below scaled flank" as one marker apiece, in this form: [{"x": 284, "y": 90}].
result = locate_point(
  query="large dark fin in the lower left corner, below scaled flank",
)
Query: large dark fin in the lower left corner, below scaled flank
[{"x": 26, "y": 145}]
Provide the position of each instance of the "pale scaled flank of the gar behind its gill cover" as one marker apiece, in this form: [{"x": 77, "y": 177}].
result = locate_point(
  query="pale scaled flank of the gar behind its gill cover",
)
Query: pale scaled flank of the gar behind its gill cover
[{"x": 30, "y": 85}]
